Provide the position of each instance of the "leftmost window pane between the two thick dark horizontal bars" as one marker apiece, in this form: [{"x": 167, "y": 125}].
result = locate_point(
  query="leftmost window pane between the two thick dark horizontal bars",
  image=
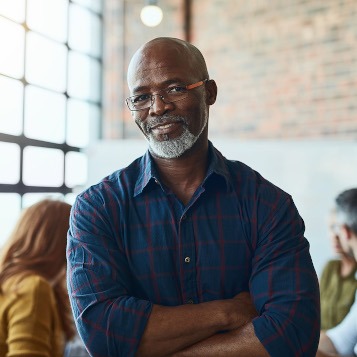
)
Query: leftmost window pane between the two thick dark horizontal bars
[{"x": 9, "y": 163}]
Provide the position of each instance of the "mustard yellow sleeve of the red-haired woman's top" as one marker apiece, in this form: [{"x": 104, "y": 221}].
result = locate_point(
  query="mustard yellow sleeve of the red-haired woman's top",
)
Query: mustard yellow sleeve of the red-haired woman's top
[{"x": 30, "y": 320}]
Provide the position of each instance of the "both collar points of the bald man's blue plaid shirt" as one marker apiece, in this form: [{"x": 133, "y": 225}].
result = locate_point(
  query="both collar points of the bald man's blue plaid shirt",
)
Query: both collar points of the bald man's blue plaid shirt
[{"x": 147, "y": 170}]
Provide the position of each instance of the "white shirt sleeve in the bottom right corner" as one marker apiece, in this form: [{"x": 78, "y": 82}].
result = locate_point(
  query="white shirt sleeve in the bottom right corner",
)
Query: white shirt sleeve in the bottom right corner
[{"x": 344, "y": 335}]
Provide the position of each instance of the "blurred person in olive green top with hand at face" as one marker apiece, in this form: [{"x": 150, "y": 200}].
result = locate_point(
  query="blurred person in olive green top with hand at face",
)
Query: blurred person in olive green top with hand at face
[{"x": 338, "y": 283}]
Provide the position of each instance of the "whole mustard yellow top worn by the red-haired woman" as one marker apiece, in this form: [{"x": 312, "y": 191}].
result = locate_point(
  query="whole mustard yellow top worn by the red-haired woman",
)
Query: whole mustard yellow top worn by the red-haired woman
[{"x": 29, "y": 320}]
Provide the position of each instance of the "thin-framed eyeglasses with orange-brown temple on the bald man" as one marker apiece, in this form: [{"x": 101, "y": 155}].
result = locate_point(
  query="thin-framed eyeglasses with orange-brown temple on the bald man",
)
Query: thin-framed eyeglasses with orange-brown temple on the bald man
[{"x": 168, "y": 95}]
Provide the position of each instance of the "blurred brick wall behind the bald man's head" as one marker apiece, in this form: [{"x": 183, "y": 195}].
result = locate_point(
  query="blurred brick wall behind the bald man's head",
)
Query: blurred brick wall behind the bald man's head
[{"x": 284, "y": 68}]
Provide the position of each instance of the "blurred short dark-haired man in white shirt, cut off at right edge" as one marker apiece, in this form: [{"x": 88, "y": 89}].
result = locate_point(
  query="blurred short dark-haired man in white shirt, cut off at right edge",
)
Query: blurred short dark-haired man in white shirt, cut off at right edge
[{"x": 342, "y": 339}]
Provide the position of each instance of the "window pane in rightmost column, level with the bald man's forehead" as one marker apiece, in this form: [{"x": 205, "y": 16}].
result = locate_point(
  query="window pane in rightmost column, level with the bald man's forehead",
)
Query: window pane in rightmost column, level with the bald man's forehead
[{"x": 83, "y": 77}]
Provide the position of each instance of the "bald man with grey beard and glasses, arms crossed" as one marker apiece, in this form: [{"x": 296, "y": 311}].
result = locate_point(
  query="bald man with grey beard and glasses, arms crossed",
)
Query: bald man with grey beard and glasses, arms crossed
[{"x": 184, "y": 253}]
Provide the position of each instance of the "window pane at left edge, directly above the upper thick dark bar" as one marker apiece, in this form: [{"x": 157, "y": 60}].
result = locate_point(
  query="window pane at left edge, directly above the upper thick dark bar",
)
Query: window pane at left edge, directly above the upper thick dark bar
[{"x": 11, "y": 108}]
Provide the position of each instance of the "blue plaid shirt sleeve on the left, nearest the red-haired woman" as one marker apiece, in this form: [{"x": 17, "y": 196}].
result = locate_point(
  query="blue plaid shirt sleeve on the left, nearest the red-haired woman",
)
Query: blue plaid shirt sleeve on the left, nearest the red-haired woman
[{"x": 109, "y": 319}]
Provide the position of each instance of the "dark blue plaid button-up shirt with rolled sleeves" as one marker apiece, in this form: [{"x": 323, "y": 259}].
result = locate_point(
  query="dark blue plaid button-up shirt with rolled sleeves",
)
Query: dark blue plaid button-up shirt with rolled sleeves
[{"x": 132, "y": 244}]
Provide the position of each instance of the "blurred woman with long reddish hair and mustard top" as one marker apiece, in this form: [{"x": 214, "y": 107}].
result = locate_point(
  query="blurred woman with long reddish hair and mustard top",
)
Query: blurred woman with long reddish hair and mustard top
[{"x": 35, "y": 318}]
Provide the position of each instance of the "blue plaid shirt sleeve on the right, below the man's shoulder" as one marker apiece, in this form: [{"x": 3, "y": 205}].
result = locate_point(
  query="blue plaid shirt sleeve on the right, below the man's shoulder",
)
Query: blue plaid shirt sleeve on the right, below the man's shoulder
[{"x": 284, "y": 284}]
